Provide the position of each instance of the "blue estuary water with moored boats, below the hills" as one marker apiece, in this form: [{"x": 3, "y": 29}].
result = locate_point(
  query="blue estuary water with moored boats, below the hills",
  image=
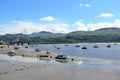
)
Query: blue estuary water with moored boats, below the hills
[{"x": 104, "y": 52}]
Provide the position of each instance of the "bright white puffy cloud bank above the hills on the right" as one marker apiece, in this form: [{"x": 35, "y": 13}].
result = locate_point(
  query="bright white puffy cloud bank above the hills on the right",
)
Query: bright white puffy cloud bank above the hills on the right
[{"x": 94, "y": 26}]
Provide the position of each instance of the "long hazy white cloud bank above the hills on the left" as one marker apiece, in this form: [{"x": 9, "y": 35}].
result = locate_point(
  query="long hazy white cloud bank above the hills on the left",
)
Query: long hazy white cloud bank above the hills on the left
[{"x": 30, "y": 27}]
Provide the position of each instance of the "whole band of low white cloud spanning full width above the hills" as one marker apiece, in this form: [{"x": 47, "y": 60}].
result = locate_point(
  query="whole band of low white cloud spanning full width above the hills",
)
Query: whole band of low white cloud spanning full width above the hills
[{"x": 28, "y": 27}]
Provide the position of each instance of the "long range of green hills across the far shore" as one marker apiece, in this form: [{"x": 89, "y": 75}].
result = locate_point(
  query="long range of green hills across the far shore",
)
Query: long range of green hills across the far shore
[{"x": 100, "y": 35}]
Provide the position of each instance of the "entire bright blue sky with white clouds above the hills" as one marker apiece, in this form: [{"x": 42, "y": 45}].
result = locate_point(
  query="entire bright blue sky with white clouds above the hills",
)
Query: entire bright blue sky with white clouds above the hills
[{"x": 57, "y": 16}]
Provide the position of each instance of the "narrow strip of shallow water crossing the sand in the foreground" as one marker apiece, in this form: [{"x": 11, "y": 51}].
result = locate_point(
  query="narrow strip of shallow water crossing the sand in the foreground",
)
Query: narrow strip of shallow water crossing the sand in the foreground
[{"x": 53, "y": 62}]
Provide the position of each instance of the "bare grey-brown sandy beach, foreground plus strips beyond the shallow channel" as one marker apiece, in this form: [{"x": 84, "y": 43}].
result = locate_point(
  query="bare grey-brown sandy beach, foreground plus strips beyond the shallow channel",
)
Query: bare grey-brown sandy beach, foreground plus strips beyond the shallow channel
[{"x": 15, "y": 70}]
